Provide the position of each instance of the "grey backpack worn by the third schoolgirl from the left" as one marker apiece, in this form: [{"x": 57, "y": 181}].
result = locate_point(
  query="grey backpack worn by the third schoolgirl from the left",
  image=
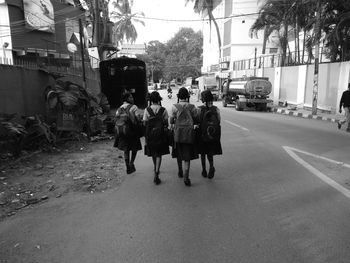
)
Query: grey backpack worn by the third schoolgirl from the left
[{"x": 183, "y": 132}]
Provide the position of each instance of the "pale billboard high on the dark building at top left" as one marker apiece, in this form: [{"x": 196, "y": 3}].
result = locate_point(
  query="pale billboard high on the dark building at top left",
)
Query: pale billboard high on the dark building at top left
[{"x": 39, "y": 15}]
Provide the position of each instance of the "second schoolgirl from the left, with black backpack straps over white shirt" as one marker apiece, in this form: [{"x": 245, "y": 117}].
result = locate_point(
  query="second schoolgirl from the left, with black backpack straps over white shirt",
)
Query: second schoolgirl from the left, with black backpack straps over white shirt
[{"x": 155, "y": 119}]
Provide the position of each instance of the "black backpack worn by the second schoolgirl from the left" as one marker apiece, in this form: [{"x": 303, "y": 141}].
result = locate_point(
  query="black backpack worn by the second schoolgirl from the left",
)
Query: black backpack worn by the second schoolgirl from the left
[{"x": 155, "y": 132}]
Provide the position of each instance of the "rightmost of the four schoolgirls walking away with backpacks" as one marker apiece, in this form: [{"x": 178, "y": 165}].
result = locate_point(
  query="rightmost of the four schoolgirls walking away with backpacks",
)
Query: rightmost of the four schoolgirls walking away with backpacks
[{"x": 209, "y": 133}]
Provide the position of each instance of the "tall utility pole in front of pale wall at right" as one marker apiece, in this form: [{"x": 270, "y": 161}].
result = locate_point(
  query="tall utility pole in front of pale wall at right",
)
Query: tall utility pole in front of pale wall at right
[{"x": 317, "y": 47}]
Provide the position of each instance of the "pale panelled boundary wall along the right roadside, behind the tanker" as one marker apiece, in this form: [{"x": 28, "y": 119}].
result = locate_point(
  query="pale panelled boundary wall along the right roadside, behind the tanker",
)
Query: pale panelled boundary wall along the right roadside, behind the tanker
[{"x": 295, "y": 84}]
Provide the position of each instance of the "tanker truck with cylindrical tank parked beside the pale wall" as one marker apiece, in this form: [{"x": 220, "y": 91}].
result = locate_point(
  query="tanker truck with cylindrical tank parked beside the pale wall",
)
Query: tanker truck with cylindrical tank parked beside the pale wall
[{"x": 247, "y": 92}]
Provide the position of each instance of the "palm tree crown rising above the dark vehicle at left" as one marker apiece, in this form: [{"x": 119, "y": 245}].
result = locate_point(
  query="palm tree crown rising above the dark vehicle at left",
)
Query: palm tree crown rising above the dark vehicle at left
[{"x": 124, "y": 28}]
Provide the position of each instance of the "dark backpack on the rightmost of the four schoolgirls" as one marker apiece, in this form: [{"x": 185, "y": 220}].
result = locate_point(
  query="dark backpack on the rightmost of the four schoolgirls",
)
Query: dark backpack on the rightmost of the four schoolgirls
[{"x": 210, "y": 124}]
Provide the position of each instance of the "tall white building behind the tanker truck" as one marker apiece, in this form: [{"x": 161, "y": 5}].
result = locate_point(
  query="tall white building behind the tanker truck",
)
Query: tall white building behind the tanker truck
[{"x": 234, "y": 18}]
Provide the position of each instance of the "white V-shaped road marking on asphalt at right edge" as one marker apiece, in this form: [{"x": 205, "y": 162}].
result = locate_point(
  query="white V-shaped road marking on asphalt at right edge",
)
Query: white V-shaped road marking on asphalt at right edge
[{"x": 316, "y": 172}]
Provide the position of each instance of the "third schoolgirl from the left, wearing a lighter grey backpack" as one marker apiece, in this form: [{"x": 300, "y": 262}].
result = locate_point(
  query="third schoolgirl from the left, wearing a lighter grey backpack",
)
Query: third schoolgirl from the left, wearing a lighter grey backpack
[{"x": 183, "y": 117}]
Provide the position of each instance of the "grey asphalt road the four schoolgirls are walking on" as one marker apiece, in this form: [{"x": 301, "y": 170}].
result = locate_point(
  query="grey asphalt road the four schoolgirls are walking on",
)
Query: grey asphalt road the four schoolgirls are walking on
[{"x": 266, "y": 203}]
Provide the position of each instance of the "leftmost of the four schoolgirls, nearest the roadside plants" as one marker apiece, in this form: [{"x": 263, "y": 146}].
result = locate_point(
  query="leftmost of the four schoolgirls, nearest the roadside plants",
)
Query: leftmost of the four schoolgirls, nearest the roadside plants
[{"x": 127, "y": 136}]
